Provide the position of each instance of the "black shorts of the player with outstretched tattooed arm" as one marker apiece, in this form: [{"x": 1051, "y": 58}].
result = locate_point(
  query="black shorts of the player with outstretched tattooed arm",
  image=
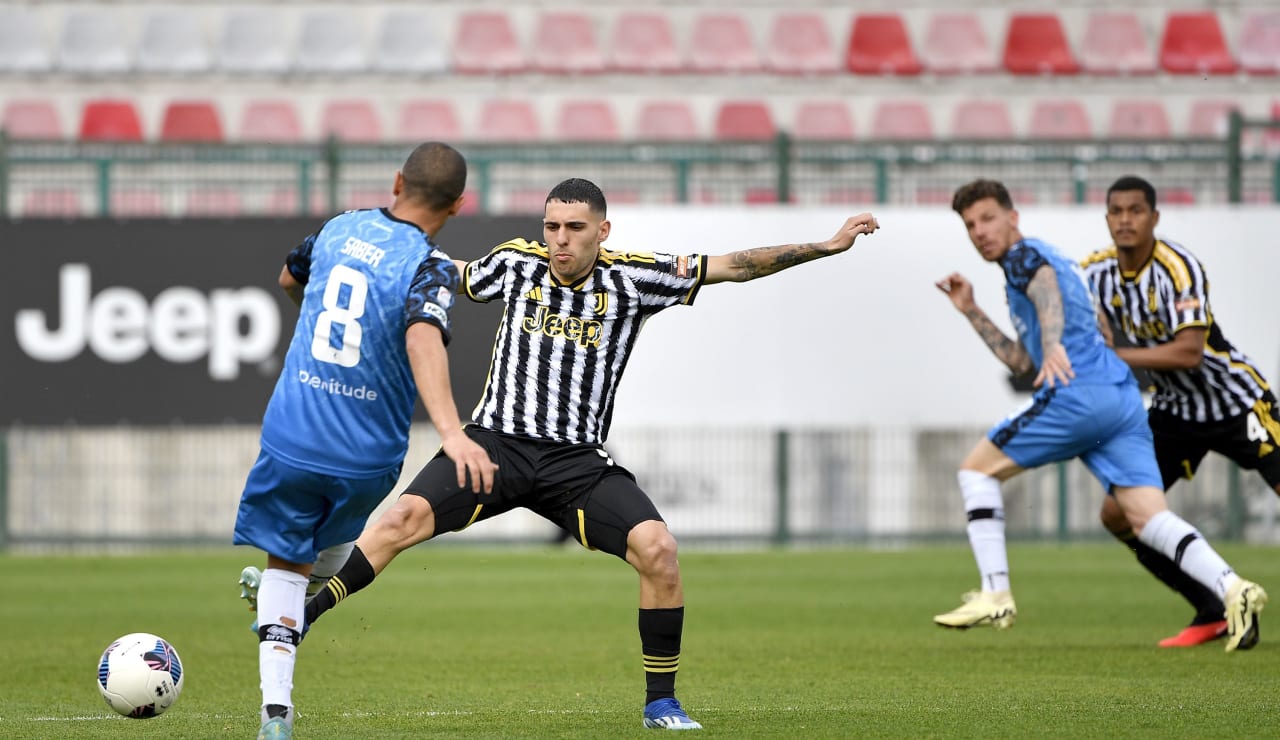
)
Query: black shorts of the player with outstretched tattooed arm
[{"x": 577, "y": 487}]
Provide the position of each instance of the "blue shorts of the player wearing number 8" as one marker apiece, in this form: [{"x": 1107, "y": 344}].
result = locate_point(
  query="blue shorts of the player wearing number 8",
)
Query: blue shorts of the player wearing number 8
[{"x": 294, "y": 514}]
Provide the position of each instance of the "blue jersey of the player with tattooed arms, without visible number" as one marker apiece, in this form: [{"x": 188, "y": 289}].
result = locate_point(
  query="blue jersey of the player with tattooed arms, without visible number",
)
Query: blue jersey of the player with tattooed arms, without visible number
[{"x": 1091, "y": 359}]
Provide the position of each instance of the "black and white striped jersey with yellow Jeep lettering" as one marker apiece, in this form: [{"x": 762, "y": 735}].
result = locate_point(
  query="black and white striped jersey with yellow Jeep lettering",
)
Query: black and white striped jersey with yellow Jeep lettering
[{"x": 561, "y": 350}]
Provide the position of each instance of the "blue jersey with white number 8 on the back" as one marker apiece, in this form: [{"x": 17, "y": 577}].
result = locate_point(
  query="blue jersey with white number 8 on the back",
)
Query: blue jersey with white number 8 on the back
[{"x": 345, "y": 399}]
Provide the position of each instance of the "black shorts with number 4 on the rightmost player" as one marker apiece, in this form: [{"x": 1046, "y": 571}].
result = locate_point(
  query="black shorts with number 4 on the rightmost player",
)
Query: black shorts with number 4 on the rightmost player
[{"x": 1252, "y": 441}]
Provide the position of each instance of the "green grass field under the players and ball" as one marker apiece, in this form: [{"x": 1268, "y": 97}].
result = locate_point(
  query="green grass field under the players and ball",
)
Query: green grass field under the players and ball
[{"x": 541, "y": 643}]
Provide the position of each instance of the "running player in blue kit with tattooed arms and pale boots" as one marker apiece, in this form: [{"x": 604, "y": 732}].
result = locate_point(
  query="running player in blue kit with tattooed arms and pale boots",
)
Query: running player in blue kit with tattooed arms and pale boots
[{"x": 1087, "y": 405}]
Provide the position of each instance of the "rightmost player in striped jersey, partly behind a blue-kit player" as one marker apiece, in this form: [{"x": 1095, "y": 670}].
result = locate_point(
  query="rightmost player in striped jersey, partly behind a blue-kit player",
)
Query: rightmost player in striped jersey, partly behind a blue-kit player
[{"x": 1209, "y": 396}]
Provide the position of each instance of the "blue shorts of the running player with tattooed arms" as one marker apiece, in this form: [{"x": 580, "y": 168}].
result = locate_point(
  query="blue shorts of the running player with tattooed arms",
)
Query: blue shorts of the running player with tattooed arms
[{"x": 1104, "y": 426}]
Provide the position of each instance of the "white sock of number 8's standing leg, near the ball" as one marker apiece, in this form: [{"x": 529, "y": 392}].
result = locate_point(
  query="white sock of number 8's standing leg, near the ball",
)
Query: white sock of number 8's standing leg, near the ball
[{"x": 281, "y": 605}]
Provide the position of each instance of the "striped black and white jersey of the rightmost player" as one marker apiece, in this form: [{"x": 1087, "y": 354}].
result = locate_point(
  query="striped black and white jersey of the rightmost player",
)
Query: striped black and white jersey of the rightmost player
[{"x": 1171, "y": 294}]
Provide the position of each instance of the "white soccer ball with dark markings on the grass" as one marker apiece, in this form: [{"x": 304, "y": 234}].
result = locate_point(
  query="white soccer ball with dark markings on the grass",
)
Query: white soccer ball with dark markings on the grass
[{"x": 140, "y": 675}]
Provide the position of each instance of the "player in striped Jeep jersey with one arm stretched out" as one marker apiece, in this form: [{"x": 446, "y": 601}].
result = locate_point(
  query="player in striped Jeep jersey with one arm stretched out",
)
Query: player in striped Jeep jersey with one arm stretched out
[{"x": 573, "y": 316}]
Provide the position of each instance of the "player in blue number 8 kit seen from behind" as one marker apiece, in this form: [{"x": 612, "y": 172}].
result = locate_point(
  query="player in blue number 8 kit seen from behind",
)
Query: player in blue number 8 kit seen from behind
[{"x": 374, "y": 294}]
